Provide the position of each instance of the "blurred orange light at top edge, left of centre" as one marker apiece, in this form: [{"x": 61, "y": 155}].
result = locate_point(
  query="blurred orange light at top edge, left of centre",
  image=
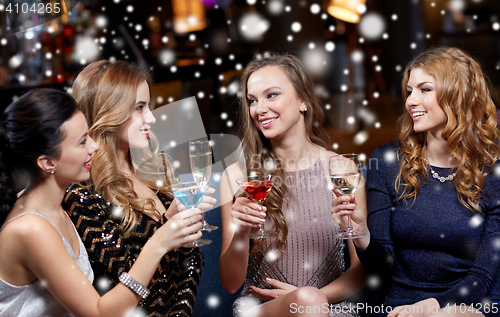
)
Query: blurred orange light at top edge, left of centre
[{"x": 189, "y": 16}]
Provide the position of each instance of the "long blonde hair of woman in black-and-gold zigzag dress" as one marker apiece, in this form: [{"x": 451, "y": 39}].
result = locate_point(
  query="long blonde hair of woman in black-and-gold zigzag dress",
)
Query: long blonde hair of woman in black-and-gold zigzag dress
[{"x": 106, "y": 94}]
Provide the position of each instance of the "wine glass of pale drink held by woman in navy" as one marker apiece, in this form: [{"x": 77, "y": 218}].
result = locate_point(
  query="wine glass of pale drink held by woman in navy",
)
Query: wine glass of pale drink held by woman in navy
[{"x": 346, "y": 174}]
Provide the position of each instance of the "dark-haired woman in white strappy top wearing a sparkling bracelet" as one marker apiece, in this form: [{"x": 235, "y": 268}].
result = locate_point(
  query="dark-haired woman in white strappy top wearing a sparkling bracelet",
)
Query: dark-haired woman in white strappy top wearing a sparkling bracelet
[{"x": 44, "y": 268}]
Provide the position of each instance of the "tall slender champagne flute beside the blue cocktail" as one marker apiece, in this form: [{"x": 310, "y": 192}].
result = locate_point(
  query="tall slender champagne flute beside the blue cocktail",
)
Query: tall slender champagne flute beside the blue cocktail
[{"x": 200, "y": 156}]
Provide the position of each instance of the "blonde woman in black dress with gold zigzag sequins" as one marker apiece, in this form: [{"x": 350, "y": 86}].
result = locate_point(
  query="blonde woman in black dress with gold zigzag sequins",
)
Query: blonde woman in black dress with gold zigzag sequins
[{"x": 116, "y": 212}]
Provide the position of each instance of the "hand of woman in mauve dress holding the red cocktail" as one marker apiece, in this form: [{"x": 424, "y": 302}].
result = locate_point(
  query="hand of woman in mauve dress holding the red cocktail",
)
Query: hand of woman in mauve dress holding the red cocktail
[{"x": 247, "y": 214}]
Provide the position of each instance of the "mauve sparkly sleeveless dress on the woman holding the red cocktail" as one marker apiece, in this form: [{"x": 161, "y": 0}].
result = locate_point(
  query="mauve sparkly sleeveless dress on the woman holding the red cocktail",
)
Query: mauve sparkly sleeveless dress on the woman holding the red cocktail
[{"x": 314, "y": 256}]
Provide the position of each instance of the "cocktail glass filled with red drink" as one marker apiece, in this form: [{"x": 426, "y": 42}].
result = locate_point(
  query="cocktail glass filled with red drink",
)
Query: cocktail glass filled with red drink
[{"x": 257, "y": 187}]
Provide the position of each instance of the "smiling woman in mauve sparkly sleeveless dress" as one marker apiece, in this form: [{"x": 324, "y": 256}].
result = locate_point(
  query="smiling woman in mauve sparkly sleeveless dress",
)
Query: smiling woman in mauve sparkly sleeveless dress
[{"x": 304, "y": 265}]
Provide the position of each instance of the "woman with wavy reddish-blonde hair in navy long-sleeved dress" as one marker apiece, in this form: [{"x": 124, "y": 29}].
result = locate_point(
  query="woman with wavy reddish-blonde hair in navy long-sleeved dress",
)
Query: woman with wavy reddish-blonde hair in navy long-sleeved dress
[{"x": 433, "y": 196}]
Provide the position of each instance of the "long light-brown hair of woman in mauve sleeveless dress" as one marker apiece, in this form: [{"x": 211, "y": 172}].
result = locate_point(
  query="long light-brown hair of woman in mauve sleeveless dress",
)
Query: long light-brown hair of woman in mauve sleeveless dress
[{"x": 255, "y": 145}]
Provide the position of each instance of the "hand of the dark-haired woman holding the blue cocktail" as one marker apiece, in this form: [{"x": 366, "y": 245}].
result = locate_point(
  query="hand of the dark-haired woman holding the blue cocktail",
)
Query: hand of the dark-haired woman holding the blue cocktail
[{"x": 184, "y": 227}]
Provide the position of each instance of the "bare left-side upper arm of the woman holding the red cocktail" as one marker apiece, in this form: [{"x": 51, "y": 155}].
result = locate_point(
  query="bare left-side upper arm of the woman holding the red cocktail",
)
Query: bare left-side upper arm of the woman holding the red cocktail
[{"x": 228, "y": 189}]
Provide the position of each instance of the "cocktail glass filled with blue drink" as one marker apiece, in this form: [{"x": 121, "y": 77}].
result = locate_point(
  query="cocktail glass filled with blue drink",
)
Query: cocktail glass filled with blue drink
[{"x": 190, "y": 195}]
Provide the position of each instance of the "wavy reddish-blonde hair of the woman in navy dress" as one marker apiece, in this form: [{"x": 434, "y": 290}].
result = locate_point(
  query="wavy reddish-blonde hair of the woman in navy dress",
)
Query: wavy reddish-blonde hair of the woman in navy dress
[{"x": 471, "y": 133}]
